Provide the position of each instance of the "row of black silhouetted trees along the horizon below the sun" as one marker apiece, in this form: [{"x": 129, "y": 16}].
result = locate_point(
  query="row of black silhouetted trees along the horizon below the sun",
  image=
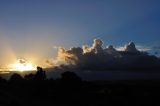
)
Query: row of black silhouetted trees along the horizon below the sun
[{"x": 40, "y": 75}]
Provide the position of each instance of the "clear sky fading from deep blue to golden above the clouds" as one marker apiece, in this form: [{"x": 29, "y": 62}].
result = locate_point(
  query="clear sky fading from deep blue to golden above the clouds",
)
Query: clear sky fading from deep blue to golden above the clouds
[{"x": 32, "y": 28}]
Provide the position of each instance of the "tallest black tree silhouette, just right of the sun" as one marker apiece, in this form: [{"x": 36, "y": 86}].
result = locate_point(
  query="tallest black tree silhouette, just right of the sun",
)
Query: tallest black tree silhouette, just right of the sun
[{"x": 40, "y": 74}]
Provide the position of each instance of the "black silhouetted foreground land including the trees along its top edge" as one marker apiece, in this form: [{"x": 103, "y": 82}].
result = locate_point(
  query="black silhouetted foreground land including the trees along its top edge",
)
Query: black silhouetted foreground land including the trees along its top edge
[{"x": 36, "y": 90}]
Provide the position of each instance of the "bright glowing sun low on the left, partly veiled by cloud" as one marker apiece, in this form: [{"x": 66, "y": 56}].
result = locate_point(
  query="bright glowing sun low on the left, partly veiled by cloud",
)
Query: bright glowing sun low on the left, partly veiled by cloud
[{"x": 22, "y": 65}]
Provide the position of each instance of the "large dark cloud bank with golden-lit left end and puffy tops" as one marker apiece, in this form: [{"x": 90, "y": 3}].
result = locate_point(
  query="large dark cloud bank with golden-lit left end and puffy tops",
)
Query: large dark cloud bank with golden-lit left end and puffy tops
[{"x": 96, "y": 57}]
